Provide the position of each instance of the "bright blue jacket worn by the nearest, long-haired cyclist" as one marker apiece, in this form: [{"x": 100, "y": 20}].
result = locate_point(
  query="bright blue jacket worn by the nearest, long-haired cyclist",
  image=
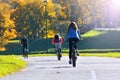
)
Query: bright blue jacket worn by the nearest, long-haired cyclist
[{"x": 73, "y": 34}]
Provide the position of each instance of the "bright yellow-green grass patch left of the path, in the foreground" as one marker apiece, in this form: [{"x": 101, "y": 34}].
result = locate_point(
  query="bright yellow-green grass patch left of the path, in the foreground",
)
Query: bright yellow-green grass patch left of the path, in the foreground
[{"x": 10, "y": 64}]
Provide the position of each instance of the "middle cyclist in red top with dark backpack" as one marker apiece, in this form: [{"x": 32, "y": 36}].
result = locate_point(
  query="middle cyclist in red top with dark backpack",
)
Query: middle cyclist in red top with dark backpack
[{"x": 57, "y": 41}]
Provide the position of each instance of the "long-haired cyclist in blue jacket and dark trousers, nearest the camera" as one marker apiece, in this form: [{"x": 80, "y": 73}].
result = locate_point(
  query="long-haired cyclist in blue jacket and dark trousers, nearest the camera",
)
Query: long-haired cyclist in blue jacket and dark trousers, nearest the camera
[{"x": 72, "y": 35}]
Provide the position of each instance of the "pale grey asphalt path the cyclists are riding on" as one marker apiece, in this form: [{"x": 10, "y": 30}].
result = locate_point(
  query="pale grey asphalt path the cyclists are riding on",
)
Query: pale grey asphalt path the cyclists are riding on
[{"x": 88, "y": 68}]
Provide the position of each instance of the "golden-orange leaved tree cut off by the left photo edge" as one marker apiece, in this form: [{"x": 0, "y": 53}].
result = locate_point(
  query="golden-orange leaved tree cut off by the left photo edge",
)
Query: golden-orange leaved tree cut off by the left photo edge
[{"x": 7, "y": 26}]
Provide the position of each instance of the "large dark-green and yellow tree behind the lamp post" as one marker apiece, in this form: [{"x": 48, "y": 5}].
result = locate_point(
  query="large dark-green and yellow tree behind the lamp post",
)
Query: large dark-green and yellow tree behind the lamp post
[{"x": 30, "y": 17}]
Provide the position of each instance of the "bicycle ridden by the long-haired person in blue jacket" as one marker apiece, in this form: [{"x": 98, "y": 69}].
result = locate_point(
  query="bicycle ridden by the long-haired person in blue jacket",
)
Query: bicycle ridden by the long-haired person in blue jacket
[{"x": 73, "y": 55}]
